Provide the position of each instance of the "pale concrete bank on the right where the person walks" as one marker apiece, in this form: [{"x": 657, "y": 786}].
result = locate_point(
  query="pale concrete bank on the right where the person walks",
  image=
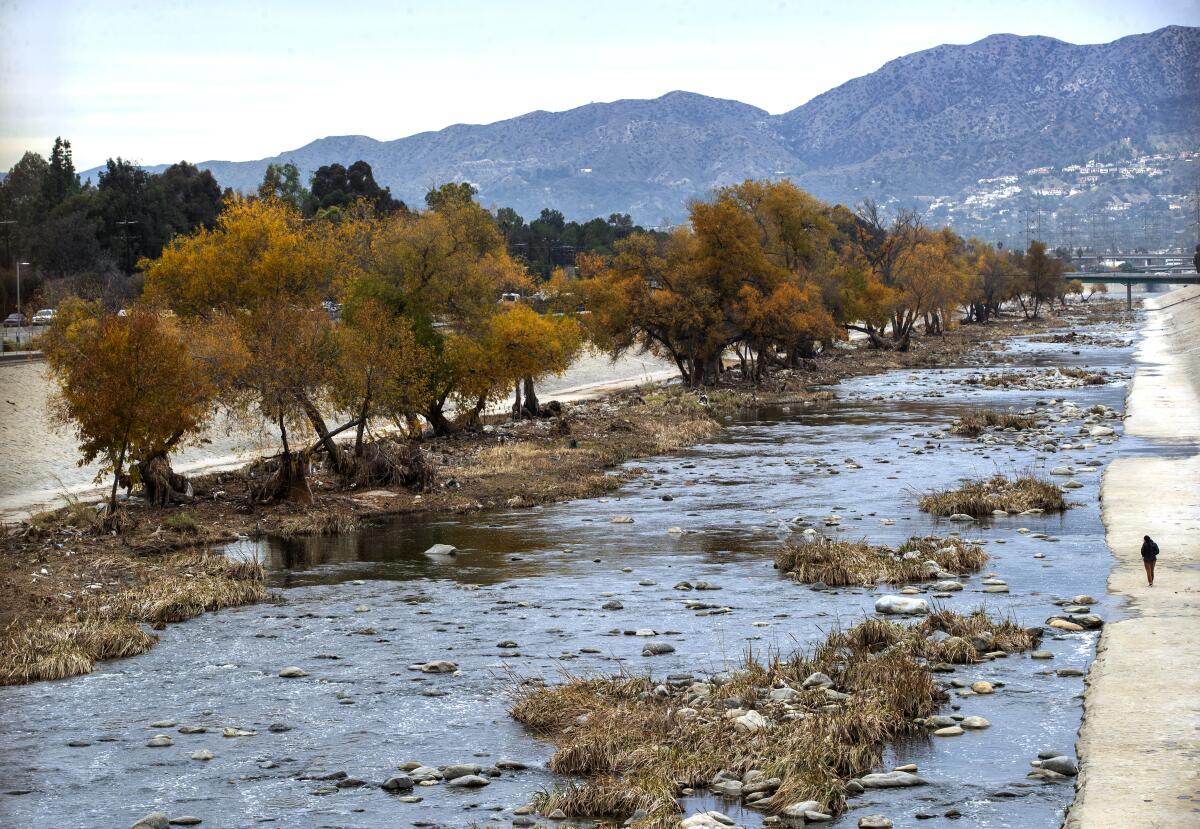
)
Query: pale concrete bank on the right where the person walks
[{"x": 1139, "y": 747}]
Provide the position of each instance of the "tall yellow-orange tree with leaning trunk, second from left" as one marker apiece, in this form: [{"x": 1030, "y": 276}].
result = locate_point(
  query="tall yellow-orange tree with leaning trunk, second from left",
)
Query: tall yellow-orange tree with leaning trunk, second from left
[{"x": 255, "y": 285}]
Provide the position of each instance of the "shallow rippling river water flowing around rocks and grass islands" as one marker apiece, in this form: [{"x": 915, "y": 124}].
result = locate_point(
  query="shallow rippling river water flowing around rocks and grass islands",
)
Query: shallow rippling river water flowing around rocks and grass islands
[{"x": 539, "y": 578}]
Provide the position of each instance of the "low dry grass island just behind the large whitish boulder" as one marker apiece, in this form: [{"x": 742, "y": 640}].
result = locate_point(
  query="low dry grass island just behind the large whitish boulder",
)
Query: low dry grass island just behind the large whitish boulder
[{"x": 841, "y": 563}]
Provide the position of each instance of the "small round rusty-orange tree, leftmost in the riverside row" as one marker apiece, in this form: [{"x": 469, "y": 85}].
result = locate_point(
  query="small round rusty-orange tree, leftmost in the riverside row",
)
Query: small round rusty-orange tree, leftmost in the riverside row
[{"x": 129, "y": 386}]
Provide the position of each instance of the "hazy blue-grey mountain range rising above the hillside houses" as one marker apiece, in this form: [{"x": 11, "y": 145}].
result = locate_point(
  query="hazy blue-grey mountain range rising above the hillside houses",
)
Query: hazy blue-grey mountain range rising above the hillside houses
[{"x": 927, "y": 124}]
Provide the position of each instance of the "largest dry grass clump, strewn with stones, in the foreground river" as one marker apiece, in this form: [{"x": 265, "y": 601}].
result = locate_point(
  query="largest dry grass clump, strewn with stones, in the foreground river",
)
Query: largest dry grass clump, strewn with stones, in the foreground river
[{"x": 638, "y": 749}]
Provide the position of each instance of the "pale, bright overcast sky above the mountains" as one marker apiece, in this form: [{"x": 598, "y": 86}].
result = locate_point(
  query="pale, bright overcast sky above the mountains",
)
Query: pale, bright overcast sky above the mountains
[{"x": 163, "y": 81}]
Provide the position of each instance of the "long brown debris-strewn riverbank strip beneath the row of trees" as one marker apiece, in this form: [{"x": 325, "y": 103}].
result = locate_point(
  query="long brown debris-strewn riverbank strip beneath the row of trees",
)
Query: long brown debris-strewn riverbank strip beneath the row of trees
[{"x": 51, "y": 562}]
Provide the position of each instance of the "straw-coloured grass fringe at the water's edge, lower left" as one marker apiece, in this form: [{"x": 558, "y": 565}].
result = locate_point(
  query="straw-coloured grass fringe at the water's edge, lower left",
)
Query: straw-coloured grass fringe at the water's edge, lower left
[{"x": 110, "y": 626}]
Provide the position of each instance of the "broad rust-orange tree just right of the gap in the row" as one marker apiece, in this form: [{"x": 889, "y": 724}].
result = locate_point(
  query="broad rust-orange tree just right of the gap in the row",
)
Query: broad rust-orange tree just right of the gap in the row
[{"x": 729, "y": 281}]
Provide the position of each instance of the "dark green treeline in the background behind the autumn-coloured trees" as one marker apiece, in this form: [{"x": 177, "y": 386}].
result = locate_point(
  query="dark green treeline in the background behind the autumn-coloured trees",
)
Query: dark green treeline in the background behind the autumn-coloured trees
[{"x": 86, "y": 241}]
